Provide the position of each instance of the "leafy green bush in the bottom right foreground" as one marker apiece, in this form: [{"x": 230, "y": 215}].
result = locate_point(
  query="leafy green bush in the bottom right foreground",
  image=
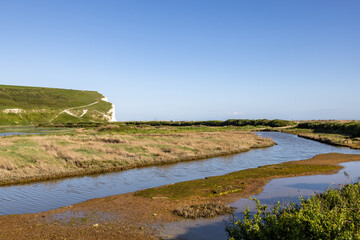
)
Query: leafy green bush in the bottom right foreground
[{"x": 334, "y": 214}]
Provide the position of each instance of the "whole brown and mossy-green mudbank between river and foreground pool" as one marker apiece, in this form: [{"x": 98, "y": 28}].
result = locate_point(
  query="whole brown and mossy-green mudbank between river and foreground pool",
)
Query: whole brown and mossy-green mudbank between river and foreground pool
[{"x": 134, "y": 215}]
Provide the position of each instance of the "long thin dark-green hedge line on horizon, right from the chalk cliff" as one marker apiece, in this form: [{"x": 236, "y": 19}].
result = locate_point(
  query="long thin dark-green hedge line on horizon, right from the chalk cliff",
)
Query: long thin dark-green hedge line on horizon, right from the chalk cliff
[{"x": 211, "y": 123}]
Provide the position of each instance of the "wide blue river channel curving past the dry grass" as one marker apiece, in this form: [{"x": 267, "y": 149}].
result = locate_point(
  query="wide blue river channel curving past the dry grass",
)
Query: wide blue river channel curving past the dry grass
[{"x": 43, "y": 196}]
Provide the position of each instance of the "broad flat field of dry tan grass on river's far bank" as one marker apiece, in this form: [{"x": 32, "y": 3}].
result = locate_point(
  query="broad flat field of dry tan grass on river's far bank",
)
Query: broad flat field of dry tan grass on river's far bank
[{"x": 30, "y": 158}]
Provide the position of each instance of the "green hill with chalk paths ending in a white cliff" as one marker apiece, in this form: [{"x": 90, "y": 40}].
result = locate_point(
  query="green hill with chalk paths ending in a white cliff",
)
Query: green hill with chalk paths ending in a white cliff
[{"x": 34, "y": 105}]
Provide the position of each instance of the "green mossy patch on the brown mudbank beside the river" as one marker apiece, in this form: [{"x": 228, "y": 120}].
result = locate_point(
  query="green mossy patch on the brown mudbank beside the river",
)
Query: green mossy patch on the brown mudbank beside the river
[{"x": 234, "y": 182}]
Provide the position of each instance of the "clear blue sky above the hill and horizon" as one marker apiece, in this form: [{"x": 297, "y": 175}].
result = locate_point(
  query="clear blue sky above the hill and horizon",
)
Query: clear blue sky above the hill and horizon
[{"x": 191, "y": 59}]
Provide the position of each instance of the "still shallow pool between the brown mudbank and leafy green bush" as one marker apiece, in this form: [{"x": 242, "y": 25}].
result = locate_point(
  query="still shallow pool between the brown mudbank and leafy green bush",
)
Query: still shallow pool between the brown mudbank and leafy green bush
[{"x": 285, "y": 190}]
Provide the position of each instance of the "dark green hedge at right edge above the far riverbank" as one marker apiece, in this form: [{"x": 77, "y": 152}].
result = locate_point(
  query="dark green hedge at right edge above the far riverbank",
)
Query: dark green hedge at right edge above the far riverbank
[{"x": 350, "y": 128}]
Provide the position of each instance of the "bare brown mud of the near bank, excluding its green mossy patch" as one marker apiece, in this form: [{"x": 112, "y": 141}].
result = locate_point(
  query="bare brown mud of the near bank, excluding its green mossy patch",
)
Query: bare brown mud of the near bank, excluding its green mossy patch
[{"x": 130, "y": 216}]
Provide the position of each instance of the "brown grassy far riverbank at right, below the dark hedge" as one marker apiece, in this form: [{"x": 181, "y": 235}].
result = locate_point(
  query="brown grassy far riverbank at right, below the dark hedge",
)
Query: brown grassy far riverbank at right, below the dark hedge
[{"x": 341, "y": 140}]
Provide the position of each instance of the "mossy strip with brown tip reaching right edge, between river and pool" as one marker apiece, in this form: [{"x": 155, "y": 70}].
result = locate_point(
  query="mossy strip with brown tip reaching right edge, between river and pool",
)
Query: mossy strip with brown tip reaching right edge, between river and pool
[{"x": 240, "y": 181}]
